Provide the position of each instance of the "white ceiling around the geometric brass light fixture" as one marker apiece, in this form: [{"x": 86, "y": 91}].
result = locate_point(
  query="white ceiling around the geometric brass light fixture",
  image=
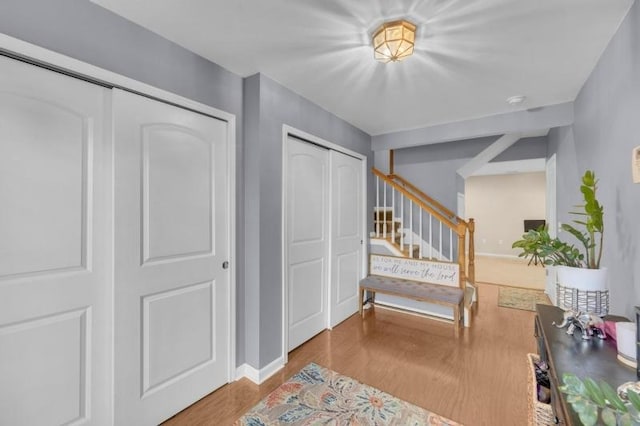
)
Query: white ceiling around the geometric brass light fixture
[{"x": 470, "y": 55}]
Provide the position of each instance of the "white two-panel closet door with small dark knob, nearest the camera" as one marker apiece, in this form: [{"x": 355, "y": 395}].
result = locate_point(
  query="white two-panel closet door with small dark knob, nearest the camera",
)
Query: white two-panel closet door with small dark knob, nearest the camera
[{"x": 171, "y": 240}]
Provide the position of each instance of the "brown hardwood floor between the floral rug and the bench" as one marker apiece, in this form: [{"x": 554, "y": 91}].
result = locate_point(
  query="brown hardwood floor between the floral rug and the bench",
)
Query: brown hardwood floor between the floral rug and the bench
[{"x": 478, "y": 379}]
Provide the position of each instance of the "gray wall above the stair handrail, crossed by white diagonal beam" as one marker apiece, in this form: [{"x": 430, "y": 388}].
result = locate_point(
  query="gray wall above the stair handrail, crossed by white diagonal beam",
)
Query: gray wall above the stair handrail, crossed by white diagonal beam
[{"x": 432, "y": 168}]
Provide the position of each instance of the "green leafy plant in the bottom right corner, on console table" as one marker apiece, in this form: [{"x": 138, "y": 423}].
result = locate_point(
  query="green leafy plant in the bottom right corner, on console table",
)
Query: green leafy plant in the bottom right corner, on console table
[{"x": 598, "y": 401}]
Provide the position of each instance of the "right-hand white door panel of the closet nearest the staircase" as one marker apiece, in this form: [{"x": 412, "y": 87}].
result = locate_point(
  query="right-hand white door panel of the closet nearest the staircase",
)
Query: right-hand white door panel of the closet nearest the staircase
[{"x": 346, "y": 236}]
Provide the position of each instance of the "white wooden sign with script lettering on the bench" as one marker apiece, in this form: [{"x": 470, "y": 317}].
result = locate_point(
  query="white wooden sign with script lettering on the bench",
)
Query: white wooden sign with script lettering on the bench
[{"x": 443, "y": 273}]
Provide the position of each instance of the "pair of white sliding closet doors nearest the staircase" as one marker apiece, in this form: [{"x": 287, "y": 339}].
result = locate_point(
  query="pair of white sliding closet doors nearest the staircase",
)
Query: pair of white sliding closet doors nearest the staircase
[{"x": 323, "y": 221}]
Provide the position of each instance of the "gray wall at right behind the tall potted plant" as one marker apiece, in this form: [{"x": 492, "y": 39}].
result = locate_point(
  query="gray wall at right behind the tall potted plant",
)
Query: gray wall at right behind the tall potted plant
[{"x": 605, "y": 130}]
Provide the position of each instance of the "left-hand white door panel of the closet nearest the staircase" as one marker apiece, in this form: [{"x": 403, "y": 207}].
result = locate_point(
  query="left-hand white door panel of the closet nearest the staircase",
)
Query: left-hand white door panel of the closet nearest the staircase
[{"x": 307, "y": 229}]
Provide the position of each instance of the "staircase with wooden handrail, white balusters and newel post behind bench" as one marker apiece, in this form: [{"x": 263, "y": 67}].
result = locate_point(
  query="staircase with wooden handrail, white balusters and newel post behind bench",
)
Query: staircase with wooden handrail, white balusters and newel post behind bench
[{"x": 411, "y": 224}]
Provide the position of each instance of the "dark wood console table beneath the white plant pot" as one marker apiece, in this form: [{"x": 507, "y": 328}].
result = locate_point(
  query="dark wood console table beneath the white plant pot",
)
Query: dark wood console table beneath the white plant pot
[{"x": 595, "y": 358}]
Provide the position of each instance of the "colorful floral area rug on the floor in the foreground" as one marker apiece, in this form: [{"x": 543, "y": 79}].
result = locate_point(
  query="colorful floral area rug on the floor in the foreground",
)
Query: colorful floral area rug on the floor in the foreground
[{"x": 319, "y": 396}]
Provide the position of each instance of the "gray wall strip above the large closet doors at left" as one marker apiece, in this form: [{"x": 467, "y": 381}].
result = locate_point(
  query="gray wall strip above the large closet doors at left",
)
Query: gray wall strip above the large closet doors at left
[{"x": 85, "y": 31}]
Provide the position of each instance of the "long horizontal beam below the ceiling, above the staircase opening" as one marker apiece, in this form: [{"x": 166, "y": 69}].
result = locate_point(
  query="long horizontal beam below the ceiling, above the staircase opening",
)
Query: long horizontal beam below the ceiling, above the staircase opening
[{"x": 523, "y": 122}]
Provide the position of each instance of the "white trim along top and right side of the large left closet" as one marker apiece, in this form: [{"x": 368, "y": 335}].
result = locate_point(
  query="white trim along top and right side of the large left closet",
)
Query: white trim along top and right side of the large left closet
[{"x": 46, "y": 57}]
